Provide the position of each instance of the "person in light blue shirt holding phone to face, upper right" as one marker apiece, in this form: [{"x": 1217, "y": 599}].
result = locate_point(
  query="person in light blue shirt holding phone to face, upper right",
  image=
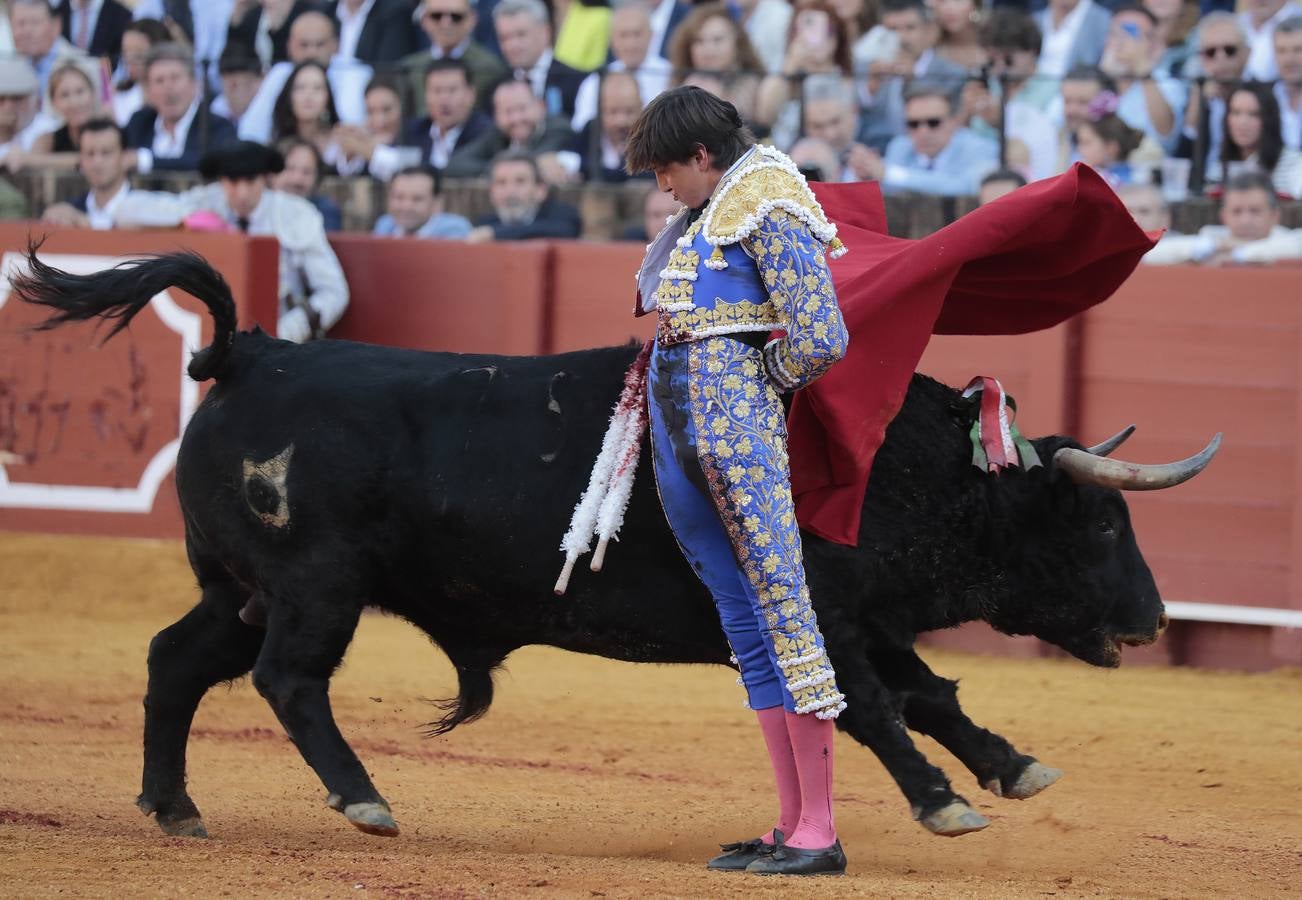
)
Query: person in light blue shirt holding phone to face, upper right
[{"x": 1146, "y": 100}]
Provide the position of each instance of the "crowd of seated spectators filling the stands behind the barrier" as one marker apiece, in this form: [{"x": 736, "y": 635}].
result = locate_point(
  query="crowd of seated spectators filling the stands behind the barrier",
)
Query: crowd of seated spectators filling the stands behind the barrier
[{"x": 926, "y": 97}]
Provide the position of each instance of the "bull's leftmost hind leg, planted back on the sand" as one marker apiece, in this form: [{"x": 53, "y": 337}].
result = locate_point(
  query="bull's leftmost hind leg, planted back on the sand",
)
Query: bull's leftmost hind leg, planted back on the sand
[{"x": 205, "y": 648}]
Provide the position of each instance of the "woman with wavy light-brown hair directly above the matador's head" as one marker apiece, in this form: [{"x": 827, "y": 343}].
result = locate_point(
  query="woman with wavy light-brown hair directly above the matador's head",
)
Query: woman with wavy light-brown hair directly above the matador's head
[{"x": 712, "y": 51}]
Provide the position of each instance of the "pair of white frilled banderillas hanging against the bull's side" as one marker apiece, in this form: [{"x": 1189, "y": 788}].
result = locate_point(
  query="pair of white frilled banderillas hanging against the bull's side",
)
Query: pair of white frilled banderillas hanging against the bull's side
[{"x": 601, "y": 510}]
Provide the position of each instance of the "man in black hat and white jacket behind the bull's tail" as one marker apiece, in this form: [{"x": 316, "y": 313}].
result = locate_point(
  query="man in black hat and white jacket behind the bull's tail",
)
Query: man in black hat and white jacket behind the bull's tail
[{"x": 313, "y": 291}]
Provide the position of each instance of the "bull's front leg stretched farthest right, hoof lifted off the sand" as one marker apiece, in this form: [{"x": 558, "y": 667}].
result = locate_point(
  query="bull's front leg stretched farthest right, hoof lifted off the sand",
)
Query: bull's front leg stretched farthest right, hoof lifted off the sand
[{"x": 930, "y": 707}]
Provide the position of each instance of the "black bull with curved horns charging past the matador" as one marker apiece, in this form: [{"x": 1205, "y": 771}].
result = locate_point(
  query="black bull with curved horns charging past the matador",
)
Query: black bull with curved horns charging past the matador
[{"x": 320, "y": 480}]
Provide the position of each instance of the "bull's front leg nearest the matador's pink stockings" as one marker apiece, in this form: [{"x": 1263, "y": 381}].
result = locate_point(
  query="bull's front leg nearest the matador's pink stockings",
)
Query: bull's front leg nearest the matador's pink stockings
[{"x": 873, "y": 720}]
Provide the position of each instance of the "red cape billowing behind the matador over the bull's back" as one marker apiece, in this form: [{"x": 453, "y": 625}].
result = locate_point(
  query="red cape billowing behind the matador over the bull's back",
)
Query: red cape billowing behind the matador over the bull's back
[{"x": 1025, "y": 262}]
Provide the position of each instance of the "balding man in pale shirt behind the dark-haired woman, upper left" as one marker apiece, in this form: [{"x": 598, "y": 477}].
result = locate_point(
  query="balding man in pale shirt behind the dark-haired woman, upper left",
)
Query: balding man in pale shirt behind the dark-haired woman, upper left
[{"x": 313, "y": 38}]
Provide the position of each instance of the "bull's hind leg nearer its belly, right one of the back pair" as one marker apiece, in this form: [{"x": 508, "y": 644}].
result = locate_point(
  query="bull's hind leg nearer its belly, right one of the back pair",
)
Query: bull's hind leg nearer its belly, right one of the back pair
[{"x": 292, "y": 674}]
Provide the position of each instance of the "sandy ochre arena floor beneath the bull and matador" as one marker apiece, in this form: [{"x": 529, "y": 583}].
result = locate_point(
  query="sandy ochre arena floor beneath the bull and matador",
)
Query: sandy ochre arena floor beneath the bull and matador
[{"x": 592, "y": 778}]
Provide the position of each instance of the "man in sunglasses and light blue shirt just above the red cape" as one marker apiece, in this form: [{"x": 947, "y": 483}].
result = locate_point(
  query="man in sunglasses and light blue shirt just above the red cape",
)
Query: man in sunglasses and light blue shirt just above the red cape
[{"x": 937, "y": 156}]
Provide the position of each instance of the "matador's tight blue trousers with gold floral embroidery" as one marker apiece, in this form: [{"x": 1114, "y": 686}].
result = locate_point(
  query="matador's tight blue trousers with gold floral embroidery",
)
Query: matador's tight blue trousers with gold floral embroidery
[{"x": 719, "y": 446}]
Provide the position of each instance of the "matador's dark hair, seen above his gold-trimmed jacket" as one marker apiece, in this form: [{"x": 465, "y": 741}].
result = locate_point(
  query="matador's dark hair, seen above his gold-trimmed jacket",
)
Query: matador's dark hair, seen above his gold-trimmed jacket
[{"x": 678, "y": 122}]
